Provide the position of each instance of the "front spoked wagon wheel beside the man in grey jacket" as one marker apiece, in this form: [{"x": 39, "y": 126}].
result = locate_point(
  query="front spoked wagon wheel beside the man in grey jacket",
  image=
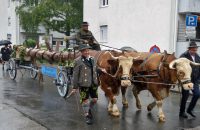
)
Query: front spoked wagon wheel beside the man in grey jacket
[{"x": 62, "y": 84}]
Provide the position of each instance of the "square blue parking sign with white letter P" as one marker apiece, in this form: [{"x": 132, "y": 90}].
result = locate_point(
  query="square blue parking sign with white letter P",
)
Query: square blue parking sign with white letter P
[{"x": 191, "y": 20}]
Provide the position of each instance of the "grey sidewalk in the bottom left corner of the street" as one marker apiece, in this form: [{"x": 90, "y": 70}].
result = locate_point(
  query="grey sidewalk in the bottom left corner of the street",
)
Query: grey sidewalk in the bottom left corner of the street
[{"x": 11, "y": 119}]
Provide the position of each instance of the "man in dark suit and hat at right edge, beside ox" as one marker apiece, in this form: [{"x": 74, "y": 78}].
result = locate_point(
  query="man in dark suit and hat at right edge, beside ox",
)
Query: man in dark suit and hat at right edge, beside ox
[{"x": 192, "y": 55}]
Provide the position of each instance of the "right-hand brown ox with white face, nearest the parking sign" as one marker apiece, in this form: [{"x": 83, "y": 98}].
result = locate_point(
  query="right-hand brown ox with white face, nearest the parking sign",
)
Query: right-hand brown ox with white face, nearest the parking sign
[{"x": 161, "y": 70}]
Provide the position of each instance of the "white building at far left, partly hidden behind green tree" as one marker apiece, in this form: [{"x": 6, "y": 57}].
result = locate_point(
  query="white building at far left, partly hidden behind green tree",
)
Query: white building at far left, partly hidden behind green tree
[{"x": 10, "y": 27}]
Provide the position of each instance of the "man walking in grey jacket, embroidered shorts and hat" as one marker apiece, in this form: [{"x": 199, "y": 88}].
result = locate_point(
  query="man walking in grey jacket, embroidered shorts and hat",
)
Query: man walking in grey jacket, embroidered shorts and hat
[{"x": 85, "y": 79}]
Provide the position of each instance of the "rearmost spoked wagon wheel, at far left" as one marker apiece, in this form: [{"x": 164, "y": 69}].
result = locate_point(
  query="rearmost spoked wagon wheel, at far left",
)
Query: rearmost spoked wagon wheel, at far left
[{"x": 12, "y": 70}]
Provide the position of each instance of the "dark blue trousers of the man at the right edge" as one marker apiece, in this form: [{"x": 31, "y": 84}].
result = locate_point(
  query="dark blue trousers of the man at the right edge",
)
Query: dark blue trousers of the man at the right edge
[{"x": 185, "y": 95}]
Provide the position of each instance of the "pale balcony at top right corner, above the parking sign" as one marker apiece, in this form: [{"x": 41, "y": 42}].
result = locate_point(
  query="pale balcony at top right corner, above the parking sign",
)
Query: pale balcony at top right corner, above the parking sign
[{"x": 189, "y": 6}]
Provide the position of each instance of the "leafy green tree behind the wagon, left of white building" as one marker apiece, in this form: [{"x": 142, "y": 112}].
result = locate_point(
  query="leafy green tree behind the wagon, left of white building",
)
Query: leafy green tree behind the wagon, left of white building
[{"x": 55, "y": 15}]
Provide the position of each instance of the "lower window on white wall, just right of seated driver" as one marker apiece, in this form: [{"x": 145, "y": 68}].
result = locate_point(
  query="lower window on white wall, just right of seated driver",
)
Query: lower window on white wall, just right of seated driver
[{"x": 104, "y": 33}]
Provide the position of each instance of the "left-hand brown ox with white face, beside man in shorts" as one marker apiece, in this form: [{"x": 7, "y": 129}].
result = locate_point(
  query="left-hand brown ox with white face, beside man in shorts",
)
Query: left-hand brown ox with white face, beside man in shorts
[{"x": 118, "y": 66}]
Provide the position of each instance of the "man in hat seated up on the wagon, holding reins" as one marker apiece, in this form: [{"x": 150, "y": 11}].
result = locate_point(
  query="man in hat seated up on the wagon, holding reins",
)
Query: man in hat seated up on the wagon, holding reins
[{"x": 85, "y": 36}]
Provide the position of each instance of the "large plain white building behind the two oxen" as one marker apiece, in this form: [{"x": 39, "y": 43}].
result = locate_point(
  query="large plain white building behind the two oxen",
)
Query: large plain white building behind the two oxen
[{"x": 140, "y": 23}]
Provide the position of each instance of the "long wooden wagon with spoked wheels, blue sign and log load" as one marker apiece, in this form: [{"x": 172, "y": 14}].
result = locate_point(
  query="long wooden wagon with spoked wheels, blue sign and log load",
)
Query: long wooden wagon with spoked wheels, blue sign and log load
[{"x": 60, "y": 73}]
